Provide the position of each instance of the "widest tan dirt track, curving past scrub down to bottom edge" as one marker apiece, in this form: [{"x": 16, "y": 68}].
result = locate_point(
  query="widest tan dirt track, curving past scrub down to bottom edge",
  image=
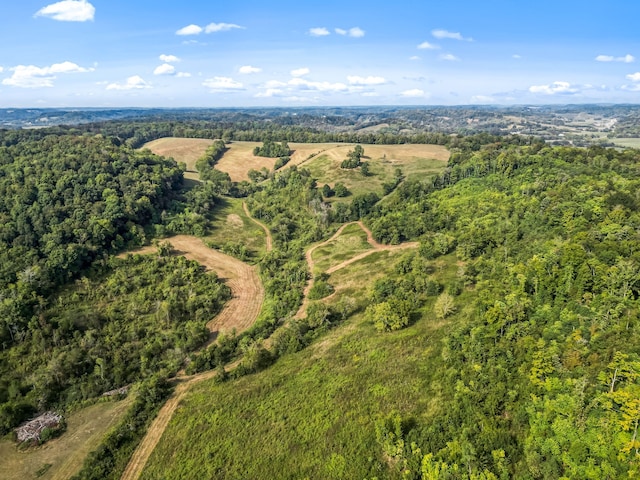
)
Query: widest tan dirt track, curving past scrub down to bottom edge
[{"x": 239, "y": 313}]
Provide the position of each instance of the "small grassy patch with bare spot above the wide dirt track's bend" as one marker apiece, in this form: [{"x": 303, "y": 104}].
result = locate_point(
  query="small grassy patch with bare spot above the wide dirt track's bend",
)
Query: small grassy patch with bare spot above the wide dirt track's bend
[{"x": 231, "y": 224}]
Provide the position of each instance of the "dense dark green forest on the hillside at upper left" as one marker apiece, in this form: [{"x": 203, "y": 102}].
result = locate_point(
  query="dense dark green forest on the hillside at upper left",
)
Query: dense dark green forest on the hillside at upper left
[{"x": 65, "y": 201}]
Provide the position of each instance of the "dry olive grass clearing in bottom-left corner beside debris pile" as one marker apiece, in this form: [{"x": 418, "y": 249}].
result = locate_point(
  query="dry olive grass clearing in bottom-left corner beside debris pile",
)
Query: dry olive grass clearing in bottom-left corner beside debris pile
[{"x": 85, "y": 429}]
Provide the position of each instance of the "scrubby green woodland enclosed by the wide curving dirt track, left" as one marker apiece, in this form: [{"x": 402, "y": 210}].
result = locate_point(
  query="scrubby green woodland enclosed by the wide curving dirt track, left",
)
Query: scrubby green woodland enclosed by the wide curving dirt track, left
[{"x": 126, "y": 320}]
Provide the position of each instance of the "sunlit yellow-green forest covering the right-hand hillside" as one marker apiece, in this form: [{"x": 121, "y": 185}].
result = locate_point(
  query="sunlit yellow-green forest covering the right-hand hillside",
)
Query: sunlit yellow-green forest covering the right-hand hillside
[{"x": 545, "y": 235}]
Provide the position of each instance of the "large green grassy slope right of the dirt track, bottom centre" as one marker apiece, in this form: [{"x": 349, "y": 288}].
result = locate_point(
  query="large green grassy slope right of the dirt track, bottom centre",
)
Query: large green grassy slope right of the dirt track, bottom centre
[{"x": 313, "y": 413}]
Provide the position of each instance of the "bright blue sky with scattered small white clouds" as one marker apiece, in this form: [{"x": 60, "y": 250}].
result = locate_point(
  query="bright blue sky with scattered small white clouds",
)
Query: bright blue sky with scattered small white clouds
[{"x": 112, "y": 53}]
